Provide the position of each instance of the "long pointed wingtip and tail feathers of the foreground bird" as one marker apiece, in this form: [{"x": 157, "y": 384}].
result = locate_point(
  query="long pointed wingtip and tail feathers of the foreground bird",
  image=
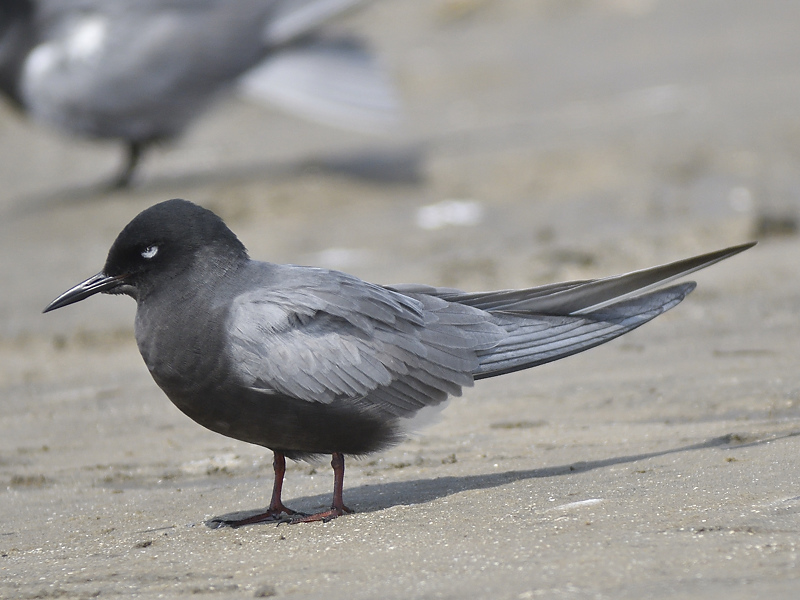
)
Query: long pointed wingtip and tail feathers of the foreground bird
[{"x": 550, "y": 322}]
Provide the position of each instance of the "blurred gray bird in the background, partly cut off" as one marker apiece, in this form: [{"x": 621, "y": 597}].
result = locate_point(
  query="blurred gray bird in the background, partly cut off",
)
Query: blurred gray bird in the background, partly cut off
[{"x": 142, "y": 70}]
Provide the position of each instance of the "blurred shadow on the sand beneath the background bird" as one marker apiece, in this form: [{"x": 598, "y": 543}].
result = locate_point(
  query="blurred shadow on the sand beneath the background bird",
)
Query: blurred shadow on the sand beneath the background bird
[{"x": 386, "y": 166}]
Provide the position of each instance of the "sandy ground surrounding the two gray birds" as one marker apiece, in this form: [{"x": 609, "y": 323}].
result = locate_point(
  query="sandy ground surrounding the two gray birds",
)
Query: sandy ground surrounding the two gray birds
[{"x": 587, "y": 138}]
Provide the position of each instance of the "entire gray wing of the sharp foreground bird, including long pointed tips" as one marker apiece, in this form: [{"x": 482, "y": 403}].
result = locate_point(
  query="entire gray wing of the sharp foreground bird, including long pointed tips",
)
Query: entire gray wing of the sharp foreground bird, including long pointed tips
[{"x": 323, "y": 336}]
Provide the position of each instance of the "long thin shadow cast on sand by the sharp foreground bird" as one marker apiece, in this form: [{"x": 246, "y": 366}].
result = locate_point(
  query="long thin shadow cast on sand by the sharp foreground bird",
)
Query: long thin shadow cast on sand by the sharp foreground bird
[{"x": 370, "y": 498}]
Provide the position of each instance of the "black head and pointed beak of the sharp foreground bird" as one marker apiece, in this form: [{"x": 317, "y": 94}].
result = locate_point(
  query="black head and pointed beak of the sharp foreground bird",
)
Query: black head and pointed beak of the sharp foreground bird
[{"x": 157, "y": 246}]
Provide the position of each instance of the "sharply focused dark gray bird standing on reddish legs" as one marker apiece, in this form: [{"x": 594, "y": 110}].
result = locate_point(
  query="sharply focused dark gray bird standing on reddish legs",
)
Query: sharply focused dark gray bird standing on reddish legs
[{"x": 307, "y": 361}]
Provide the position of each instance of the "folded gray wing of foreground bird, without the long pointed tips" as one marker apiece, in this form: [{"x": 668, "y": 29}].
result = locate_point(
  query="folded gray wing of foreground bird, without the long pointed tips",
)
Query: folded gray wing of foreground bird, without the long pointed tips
[{"x": 328, "y": 337}]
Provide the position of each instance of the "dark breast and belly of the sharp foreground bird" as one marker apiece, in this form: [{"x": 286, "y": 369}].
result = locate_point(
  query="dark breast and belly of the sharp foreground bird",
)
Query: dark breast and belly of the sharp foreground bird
[{"x": 185, "y": 354}]
